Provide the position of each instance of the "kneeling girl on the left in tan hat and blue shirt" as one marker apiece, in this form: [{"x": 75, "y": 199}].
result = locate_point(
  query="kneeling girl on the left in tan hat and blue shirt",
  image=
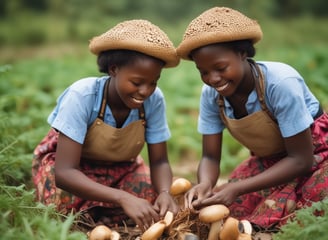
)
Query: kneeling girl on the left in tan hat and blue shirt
[{"x": 89, "y": 162}]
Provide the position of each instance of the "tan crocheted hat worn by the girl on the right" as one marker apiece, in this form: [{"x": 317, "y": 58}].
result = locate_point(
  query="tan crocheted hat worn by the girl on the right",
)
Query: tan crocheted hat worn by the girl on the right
[{"x": 218, "y": 24}]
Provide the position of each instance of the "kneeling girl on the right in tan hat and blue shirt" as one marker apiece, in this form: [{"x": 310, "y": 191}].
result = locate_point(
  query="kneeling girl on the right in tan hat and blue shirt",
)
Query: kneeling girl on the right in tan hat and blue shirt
[{"x": 269, "y": 109}]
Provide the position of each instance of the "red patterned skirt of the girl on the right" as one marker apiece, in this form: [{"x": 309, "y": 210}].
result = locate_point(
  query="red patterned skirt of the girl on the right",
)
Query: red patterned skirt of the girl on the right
[{"x": 271, "y": 208}]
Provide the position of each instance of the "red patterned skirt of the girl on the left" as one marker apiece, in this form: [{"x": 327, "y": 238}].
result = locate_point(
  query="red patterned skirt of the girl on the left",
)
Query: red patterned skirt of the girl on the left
[{"x": 132, "y": 177}]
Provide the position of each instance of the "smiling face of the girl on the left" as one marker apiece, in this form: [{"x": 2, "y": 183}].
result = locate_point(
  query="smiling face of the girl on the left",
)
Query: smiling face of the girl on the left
[{"x": 133, "y": 83}]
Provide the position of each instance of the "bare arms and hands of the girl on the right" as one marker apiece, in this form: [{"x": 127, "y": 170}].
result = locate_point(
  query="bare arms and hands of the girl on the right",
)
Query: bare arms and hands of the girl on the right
[{"x": 298, "y": 162}]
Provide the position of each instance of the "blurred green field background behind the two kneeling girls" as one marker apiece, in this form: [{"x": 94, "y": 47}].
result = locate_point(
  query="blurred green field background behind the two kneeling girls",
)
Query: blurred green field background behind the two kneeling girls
[{"x": 43, "y": 49}]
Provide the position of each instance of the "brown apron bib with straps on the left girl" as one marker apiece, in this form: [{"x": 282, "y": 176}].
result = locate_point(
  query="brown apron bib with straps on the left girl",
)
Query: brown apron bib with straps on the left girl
[{"x": 106, "y": 144}]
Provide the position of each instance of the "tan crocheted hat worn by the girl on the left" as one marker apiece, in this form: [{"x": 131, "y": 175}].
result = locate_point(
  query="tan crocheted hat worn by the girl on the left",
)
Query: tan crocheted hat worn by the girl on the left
[{"x": 137, "y": 35}]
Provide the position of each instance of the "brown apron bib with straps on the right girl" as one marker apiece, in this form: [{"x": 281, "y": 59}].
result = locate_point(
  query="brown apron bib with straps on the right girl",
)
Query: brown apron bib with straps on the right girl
[{"x": 258, "y": 131}]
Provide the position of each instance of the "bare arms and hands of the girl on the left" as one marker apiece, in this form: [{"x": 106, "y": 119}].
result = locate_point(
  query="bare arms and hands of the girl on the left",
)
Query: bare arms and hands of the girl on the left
[{"x": 70, "y": 178}]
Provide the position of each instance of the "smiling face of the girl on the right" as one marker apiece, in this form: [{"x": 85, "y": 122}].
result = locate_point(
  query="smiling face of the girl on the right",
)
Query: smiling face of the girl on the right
[{"x": 221, "y": 68}]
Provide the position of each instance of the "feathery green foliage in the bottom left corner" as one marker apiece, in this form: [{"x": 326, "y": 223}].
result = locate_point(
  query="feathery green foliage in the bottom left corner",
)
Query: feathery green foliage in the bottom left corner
[{"x": 22, "y": 218}]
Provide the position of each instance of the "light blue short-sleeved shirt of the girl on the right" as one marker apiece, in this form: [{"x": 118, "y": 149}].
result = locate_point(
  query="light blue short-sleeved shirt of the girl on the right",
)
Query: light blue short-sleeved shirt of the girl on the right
[{"x": 286, "y": 95}]
